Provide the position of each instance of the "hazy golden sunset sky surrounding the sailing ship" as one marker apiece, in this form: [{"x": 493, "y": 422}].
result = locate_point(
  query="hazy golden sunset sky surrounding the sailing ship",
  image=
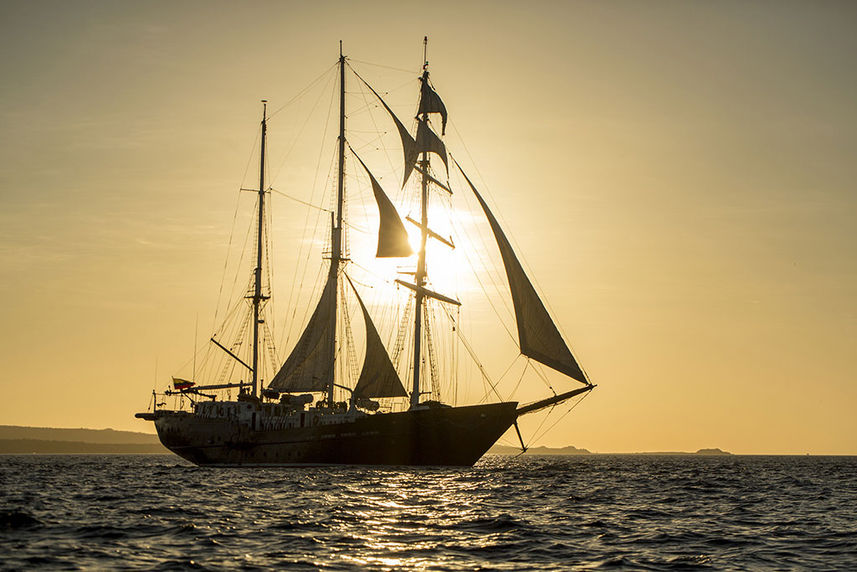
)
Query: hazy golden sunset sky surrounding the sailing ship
[{"x": 678, "y": 176}]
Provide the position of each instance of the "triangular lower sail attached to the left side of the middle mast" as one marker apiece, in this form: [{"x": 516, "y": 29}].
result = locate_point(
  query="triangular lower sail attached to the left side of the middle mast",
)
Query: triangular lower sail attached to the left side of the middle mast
[{"x": 310, "y": 365}]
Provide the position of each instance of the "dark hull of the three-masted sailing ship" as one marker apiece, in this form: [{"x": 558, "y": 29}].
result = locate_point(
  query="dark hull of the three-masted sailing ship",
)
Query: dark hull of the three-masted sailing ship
[{"x": 452, "y": 436}]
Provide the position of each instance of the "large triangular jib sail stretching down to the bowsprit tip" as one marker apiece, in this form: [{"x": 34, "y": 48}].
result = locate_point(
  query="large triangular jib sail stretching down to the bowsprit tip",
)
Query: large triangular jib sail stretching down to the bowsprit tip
[{"x": 538, "y": 336}]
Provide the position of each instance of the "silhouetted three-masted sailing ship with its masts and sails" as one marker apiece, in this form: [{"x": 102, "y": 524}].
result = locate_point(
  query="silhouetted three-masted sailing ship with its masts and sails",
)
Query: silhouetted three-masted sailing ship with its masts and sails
[{"x": 296, "y": 418}]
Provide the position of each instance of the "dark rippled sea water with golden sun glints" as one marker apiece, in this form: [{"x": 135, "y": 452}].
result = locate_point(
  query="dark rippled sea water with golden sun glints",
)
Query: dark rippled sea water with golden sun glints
[{"x": 548, "y": 513}]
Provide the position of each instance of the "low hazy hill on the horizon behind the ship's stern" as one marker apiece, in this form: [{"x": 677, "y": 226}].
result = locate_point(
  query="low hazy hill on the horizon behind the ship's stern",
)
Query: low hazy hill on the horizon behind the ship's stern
[{"x": 50, "y": 440}]
